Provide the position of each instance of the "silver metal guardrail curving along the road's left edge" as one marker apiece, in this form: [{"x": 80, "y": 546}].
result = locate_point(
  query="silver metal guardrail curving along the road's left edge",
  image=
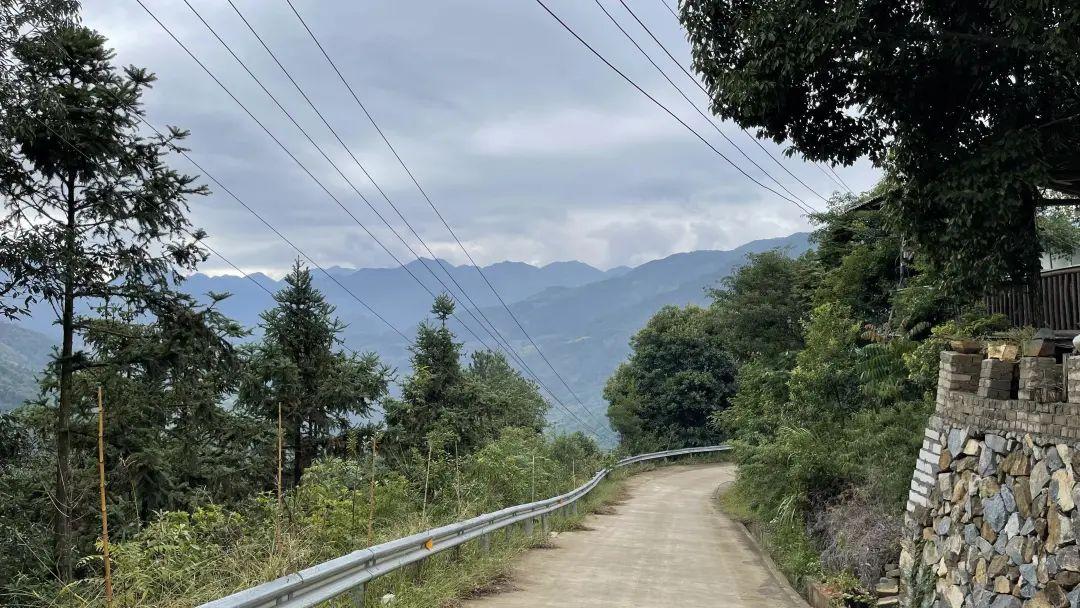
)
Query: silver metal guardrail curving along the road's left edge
[{"x": 349, "y": 574}]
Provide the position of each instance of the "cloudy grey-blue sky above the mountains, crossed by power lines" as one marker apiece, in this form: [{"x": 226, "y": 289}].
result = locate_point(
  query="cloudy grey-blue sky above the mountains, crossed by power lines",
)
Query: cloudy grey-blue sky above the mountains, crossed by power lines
[{"x": 531, "y": 148}]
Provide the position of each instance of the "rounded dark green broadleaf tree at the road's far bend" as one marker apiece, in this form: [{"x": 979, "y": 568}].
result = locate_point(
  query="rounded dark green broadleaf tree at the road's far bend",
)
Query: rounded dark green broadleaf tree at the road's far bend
[{"x": 678, "y": 377}]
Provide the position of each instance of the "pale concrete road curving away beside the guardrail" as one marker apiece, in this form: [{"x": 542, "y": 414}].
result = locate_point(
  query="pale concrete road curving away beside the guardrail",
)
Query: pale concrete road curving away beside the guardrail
[{"x": 667, "y": 546}]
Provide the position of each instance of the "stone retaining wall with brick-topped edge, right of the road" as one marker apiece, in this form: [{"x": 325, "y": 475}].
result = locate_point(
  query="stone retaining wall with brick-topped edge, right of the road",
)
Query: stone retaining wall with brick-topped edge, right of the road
[{"x": 992, "y": 516}]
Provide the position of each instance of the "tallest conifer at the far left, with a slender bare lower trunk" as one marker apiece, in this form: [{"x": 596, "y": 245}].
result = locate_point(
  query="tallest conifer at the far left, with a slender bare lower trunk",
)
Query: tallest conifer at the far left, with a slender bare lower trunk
[{"x": 92, "y": 213}]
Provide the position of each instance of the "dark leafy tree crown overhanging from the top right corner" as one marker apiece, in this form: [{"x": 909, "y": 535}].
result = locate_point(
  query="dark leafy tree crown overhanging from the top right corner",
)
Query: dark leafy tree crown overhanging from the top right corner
[{"x": 971, "y": 107}]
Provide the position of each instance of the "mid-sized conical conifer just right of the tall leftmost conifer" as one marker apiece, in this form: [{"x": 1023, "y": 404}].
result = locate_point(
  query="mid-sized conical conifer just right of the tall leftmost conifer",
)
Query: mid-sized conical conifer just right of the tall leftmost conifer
[{"x": 298, "y": 369}]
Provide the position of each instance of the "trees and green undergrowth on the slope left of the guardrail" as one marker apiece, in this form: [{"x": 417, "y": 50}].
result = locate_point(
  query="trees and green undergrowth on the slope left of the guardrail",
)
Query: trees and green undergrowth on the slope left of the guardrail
[{"x": 227, "y": 462}]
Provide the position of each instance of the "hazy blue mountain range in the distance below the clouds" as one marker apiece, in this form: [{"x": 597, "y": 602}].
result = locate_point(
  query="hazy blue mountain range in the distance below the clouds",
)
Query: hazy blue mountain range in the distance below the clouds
[{"x": 582, "y": 318}]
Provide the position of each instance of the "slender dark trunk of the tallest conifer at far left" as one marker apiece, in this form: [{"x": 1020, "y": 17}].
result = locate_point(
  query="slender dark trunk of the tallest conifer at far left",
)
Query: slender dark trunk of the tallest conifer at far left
[{"x": 63, "y": 524}]
